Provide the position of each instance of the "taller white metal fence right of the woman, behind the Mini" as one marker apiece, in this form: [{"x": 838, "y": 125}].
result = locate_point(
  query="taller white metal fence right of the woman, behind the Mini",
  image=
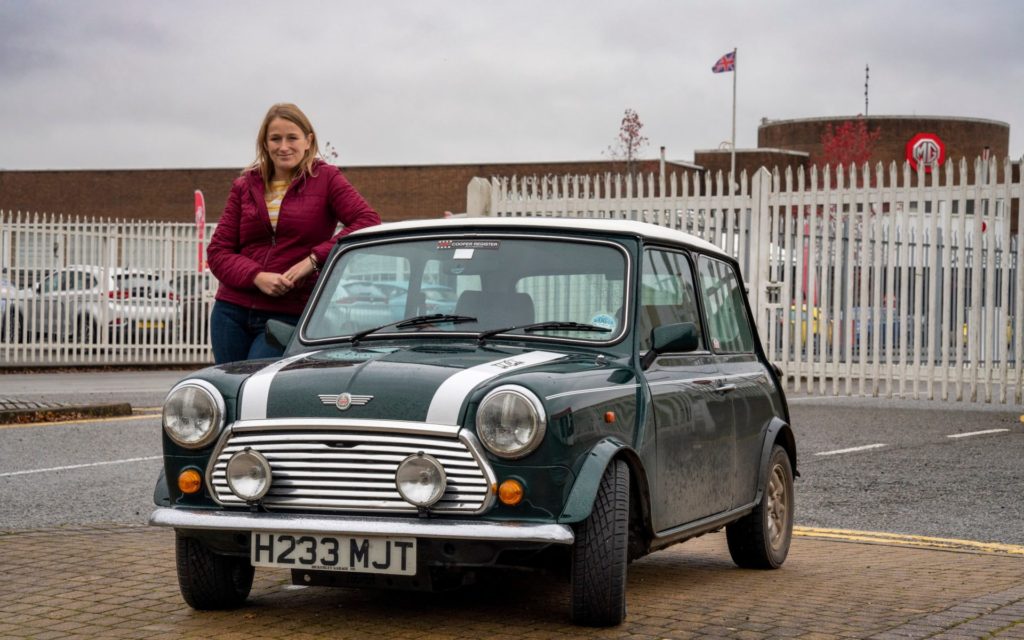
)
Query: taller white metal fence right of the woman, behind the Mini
[{"x": 865, "y": 283}]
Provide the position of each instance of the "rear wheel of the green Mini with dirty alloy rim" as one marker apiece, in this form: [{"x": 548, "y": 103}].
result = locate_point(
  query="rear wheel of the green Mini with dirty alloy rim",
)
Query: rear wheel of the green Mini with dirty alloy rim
[{"x": 761, "y": 539}]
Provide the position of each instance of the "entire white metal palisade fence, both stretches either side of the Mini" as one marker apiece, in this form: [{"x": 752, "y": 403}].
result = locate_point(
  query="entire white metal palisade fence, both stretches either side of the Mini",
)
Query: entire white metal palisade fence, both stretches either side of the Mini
[{"x": 882, "y": 283}]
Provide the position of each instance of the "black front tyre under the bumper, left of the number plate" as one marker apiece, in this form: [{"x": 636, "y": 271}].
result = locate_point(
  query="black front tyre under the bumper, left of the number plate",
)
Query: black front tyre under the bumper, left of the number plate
[{"x": 209, "y": 581}]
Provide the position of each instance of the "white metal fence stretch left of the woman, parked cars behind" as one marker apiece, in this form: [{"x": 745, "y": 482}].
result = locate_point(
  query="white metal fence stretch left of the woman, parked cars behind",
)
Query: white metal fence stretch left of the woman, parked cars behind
[{"x": 76, "y": 291}]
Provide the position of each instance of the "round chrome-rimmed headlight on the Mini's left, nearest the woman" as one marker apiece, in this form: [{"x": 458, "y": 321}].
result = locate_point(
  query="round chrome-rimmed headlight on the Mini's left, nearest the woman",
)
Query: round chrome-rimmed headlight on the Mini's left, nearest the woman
[{"x": 194, "y": 413}]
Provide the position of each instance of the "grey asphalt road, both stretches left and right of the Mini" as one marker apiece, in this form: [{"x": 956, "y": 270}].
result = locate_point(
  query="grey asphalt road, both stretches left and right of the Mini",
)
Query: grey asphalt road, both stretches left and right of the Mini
[{"x": 905, "y": 474}]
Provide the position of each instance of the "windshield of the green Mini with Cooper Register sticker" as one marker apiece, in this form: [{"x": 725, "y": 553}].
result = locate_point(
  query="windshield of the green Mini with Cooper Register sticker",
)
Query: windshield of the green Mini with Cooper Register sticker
[{"x": 501, "y": 283}]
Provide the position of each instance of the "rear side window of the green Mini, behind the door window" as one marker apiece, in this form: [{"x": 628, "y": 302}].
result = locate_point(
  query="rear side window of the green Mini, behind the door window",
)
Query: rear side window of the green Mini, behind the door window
[{"x": 724, "y": 301}]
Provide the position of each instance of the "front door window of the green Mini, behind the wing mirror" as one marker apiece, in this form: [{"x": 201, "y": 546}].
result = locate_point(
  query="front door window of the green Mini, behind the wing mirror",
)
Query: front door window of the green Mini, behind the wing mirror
[{"x": 667, "y": 294}]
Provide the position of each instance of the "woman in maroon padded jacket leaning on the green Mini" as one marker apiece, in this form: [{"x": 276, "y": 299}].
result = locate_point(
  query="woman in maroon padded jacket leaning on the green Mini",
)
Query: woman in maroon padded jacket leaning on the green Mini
[{"x": 277, "y": 231}]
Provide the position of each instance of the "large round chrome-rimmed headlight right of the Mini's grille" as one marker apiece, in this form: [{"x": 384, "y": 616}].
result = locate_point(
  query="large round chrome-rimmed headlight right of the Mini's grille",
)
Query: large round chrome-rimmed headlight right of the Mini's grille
[{"x": 510, "y": 422}]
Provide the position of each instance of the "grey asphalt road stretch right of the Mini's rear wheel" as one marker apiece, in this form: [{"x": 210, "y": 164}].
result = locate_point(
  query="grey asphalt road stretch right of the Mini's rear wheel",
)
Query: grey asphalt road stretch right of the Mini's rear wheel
[{"x": 907, "y": 474}]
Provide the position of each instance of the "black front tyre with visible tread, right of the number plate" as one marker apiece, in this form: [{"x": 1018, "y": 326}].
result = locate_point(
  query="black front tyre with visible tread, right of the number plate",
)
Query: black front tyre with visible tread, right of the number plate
[{"x": 599, "y": 572}]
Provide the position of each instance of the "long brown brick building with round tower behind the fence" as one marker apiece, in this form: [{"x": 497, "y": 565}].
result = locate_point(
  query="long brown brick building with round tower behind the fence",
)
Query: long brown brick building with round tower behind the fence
[{"x": 402, "y": 193}]
